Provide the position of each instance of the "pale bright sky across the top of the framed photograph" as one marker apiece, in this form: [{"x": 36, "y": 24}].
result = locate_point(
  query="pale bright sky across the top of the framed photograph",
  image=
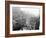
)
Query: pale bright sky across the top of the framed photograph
[{"x": 27, "y": 10}]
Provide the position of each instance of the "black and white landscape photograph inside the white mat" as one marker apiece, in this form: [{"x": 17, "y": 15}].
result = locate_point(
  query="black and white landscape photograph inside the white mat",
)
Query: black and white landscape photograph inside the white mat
[{"x": 23, "y": 18}]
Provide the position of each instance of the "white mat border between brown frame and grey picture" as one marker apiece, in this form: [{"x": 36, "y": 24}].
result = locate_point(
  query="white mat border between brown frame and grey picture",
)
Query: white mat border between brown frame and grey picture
[{"x": 28, "y": 31}]
